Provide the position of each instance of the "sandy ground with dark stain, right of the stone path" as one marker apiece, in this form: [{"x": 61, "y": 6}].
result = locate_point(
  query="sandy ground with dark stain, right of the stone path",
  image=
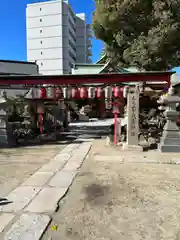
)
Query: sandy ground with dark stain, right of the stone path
[{"x": 110, "y": 200}]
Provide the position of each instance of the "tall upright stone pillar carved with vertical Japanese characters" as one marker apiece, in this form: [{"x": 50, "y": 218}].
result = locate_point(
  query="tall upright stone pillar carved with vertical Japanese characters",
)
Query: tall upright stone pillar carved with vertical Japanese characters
[{"x": 132, "y": 120}]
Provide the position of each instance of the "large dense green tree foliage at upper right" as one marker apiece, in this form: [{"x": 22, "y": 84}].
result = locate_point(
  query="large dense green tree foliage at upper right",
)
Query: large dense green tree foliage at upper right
[{"x": 142, "y": 33}]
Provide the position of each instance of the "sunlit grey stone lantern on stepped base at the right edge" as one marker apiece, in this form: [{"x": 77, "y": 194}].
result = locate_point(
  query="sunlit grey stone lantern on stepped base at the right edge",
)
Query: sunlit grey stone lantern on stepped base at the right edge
[{"x": 170, "y": 140}]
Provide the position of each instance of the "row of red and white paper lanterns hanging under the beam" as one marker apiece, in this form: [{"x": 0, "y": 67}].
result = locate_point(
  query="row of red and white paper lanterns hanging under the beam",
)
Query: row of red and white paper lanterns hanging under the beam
[{"x": 78, "y": 92}]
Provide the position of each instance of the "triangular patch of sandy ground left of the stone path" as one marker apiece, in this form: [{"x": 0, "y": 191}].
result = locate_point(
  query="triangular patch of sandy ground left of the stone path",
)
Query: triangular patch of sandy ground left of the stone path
[{"x": 16, "y": 165}]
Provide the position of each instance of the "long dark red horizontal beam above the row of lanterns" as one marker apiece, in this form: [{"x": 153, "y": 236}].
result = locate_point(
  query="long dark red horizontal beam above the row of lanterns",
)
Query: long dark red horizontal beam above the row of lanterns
[{"x": 87, "y": 79}]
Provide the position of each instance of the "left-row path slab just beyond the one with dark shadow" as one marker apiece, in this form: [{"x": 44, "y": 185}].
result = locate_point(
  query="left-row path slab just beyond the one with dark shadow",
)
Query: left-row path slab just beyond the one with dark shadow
[{"x": 38, "y": 179}]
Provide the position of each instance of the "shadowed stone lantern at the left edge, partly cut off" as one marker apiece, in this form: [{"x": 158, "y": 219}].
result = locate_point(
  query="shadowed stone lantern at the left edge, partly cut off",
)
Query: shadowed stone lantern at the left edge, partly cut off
[{"x": 6, "y": 131}]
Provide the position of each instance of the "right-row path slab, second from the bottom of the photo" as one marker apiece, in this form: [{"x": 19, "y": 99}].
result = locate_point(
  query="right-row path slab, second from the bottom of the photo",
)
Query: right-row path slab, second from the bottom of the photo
[{"x": 47, "y": 200}]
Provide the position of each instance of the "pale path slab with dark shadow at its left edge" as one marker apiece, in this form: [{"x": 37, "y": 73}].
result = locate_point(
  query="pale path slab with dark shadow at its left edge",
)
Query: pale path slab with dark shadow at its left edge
[{"x": 20, "y": 197}]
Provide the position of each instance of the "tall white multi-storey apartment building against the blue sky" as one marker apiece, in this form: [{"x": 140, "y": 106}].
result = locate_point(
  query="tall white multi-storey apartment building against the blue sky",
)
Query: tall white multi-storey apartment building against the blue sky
[{"x": 57, "y": 37}]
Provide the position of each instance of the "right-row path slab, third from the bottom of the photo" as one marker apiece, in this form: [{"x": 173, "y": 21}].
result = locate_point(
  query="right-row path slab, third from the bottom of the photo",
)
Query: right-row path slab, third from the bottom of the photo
[{"x": 62, "y": 179}]
